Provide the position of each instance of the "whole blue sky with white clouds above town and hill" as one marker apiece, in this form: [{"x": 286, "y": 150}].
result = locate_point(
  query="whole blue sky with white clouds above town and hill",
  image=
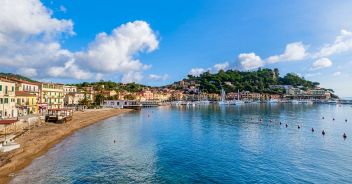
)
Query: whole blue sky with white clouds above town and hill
[{"x": 157, "y": 42}]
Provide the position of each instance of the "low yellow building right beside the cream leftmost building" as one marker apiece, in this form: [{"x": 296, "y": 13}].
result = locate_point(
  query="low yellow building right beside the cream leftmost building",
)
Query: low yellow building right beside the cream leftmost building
[{"x": 26, "y": 103}]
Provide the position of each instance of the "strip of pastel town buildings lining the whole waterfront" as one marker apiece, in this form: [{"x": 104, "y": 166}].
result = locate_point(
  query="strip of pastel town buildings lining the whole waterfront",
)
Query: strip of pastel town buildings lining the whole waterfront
[{"x": 20, "y": 97}]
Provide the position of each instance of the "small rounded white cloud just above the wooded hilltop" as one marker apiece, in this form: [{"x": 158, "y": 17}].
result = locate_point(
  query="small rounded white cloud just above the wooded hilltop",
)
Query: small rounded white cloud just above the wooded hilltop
[{"x": 250, "y": 61}]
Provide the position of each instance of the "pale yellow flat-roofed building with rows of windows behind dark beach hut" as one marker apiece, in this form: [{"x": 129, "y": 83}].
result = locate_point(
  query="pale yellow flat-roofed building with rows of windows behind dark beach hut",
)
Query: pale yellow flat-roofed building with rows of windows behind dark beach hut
[{"x": 51, "y": 96}]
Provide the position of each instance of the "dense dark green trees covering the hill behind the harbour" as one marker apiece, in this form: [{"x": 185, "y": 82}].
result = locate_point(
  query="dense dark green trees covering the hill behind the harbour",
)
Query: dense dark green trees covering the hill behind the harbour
[{"x": 254, "y": 81}]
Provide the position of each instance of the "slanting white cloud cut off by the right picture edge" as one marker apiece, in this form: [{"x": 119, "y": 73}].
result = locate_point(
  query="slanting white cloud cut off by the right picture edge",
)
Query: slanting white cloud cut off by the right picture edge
[{"x": 343, "y": 43}]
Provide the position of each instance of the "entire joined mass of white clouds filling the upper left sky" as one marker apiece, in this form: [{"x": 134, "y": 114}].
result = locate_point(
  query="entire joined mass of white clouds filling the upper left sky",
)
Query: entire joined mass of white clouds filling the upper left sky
[{"x": 30, "y": 40}]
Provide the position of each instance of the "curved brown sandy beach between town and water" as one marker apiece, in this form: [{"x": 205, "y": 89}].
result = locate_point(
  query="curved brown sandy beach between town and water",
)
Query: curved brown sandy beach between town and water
[{"x": 40, "y": 139}]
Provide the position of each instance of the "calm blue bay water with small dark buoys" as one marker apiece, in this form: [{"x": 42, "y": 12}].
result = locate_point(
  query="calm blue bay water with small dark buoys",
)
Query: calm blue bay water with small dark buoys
[{"x": 205, "y": 145}]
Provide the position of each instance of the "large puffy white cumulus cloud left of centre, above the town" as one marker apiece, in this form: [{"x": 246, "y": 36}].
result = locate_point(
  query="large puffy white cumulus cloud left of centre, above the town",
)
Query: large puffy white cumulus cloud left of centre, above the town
[{"x": 116, "y": 52}]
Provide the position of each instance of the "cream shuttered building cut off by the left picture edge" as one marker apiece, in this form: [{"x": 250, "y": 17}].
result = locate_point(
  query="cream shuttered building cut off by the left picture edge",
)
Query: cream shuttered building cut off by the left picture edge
[{"x": 7, "y": 99}]
